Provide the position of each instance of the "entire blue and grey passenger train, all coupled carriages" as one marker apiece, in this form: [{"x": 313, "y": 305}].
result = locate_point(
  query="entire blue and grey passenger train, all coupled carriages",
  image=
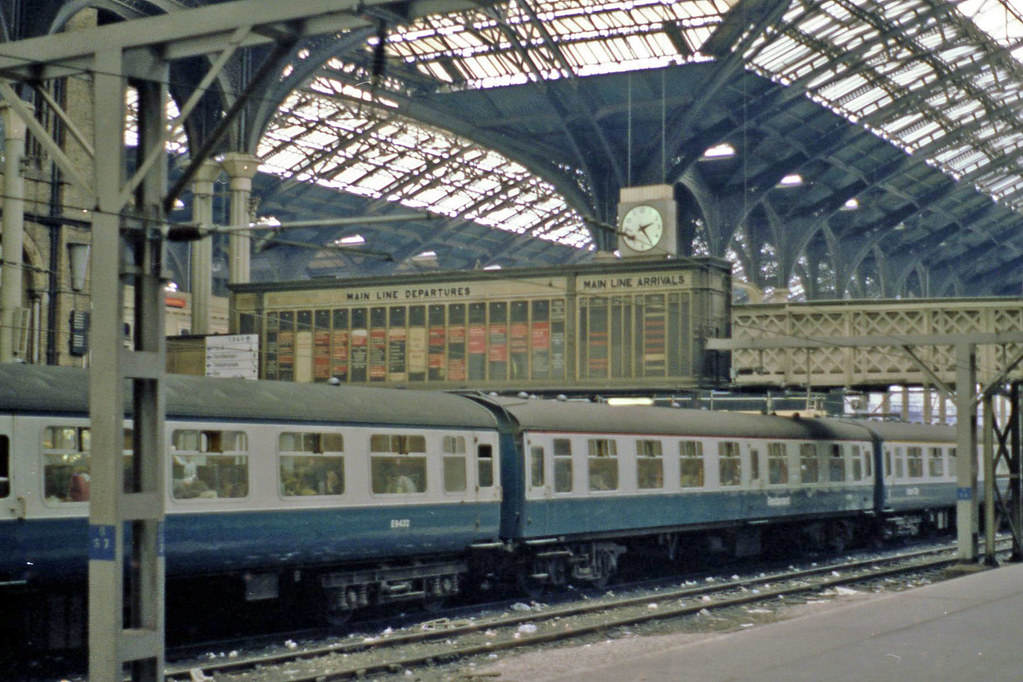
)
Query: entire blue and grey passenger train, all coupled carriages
[{"x": 351, "y": 496}]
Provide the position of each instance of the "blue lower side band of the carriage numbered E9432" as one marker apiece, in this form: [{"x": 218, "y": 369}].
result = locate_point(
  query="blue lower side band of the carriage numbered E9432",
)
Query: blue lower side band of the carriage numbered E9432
[{"x": 58, "y": 550}]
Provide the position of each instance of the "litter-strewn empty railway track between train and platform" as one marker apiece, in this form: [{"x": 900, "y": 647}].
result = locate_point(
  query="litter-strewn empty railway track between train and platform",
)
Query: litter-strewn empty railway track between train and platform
[{"x": 447, "y": 641}]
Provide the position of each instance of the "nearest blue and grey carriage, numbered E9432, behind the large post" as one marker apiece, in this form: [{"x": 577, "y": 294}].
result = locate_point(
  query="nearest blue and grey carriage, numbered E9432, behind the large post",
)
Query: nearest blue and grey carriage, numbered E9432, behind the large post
[{"x": 373, "y": 494}]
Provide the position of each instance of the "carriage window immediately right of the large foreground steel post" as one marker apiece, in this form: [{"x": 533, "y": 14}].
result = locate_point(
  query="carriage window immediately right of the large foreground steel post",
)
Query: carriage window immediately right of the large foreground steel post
[{"x": 209, "y": 465}]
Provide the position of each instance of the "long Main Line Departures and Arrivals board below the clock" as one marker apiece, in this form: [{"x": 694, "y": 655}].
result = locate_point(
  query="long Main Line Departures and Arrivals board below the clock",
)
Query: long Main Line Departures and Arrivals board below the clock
[{"x": 618, "y": 326}]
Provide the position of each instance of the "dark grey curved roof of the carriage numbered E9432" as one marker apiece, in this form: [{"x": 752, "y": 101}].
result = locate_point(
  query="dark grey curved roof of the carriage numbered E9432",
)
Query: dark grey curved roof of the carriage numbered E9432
[{"x": 35, "y": 389}]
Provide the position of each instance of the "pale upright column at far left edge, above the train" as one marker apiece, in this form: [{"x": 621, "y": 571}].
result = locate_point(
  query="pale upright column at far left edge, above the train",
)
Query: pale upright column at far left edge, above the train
[{"x": 14, "y": 234}]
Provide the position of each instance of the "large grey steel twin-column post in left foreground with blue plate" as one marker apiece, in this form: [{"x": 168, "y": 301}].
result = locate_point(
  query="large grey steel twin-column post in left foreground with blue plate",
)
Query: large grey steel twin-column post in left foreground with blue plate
[{"x": 126, "y": 626}]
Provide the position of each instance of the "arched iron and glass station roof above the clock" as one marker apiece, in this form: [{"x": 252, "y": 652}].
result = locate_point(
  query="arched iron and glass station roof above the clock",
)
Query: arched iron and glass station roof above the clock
[{"x": 835, "y": 148}]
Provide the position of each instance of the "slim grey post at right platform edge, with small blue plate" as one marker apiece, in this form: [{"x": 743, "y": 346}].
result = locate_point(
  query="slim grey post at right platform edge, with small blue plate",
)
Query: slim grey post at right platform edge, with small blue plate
[{"x": 966, "y": 451}]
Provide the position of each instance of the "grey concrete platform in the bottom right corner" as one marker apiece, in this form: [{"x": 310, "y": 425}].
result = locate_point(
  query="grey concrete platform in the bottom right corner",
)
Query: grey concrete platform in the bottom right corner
[{"x": 968, "y": 628}]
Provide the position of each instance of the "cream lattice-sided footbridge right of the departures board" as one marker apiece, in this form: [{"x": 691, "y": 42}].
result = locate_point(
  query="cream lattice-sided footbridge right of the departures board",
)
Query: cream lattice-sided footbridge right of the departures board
[{"x": 826, "y": 359}]
